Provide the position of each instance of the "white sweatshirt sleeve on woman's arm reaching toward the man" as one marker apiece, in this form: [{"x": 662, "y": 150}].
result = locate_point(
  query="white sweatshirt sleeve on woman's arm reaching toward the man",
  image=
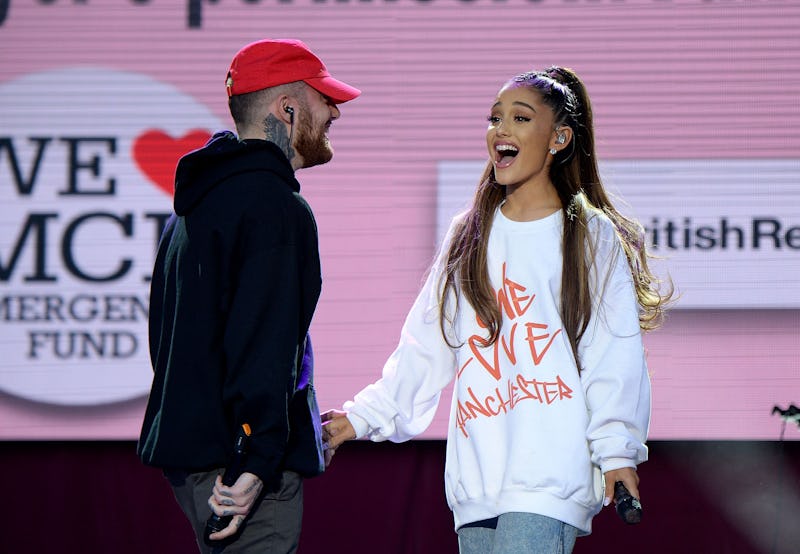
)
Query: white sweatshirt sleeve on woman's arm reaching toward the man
[{"x": 402, "y": 403}]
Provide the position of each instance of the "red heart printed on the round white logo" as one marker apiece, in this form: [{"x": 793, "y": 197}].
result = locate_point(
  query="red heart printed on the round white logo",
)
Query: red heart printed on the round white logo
[{"x": 156, "y": 153}]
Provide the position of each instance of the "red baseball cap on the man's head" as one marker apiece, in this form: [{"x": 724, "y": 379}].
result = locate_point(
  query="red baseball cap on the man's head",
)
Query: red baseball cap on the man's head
[{"x": 268, "y": 63}]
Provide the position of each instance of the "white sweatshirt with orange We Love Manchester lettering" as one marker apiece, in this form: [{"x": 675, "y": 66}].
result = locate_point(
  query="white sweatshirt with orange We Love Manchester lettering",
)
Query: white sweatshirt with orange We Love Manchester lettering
[{"x": 526, "y": 433}]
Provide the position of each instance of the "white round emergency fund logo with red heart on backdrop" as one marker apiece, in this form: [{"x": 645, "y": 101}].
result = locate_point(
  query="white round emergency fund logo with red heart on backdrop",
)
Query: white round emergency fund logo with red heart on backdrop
[{"x": 87, "y": 159}]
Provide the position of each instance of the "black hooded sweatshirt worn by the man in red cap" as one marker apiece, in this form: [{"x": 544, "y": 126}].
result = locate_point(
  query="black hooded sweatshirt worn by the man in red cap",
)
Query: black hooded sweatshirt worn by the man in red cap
[{"x": 234, "y": 288}]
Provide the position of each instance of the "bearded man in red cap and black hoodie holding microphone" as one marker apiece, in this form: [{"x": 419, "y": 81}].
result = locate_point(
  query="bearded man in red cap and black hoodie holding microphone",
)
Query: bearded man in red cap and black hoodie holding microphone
[{"x": 235, "y": 285}]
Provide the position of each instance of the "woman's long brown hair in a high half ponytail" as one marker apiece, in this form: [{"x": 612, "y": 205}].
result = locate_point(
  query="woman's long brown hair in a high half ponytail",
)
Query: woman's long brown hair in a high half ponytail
[{"x": 575, "y": 175}]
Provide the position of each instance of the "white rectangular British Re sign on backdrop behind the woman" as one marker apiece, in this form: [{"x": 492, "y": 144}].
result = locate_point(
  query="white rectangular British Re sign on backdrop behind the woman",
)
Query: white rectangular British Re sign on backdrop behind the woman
[{"x": 728, "y": 231}]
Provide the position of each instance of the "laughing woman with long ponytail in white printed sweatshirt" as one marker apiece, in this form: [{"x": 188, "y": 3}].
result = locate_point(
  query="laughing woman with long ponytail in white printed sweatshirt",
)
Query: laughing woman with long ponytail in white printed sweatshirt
[{"x": 535, "y": 306}]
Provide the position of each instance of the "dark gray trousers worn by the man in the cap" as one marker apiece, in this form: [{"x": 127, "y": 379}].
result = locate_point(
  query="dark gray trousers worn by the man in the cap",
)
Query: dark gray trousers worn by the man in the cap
[{"x": 272, "y": 526}]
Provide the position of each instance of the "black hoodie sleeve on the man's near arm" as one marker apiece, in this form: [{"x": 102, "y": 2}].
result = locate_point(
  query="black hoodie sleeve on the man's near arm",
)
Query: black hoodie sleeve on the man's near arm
[{"x": 261, "y": 339}]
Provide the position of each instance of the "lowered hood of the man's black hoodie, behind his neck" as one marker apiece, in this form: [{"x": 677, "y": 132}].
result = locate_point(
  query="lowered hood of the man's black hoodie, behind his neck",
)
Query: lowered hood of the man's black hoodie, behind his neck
[{"x": 223, "y": 156}]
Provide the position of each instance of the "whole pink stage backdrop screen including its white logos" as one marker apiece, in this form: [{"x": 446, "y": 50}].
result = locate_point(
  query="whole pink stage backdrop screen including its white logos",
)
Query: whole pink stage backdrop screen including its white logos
[{"x": 698, "y": 131}]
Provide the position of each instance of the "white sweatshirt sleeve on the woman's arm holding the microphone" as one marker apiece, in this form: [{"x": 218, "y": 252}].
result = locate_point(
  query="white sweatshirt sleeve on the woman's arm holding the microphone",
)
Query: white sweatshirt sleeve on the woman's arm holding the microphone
[{"x": 615, "y": 376}]
